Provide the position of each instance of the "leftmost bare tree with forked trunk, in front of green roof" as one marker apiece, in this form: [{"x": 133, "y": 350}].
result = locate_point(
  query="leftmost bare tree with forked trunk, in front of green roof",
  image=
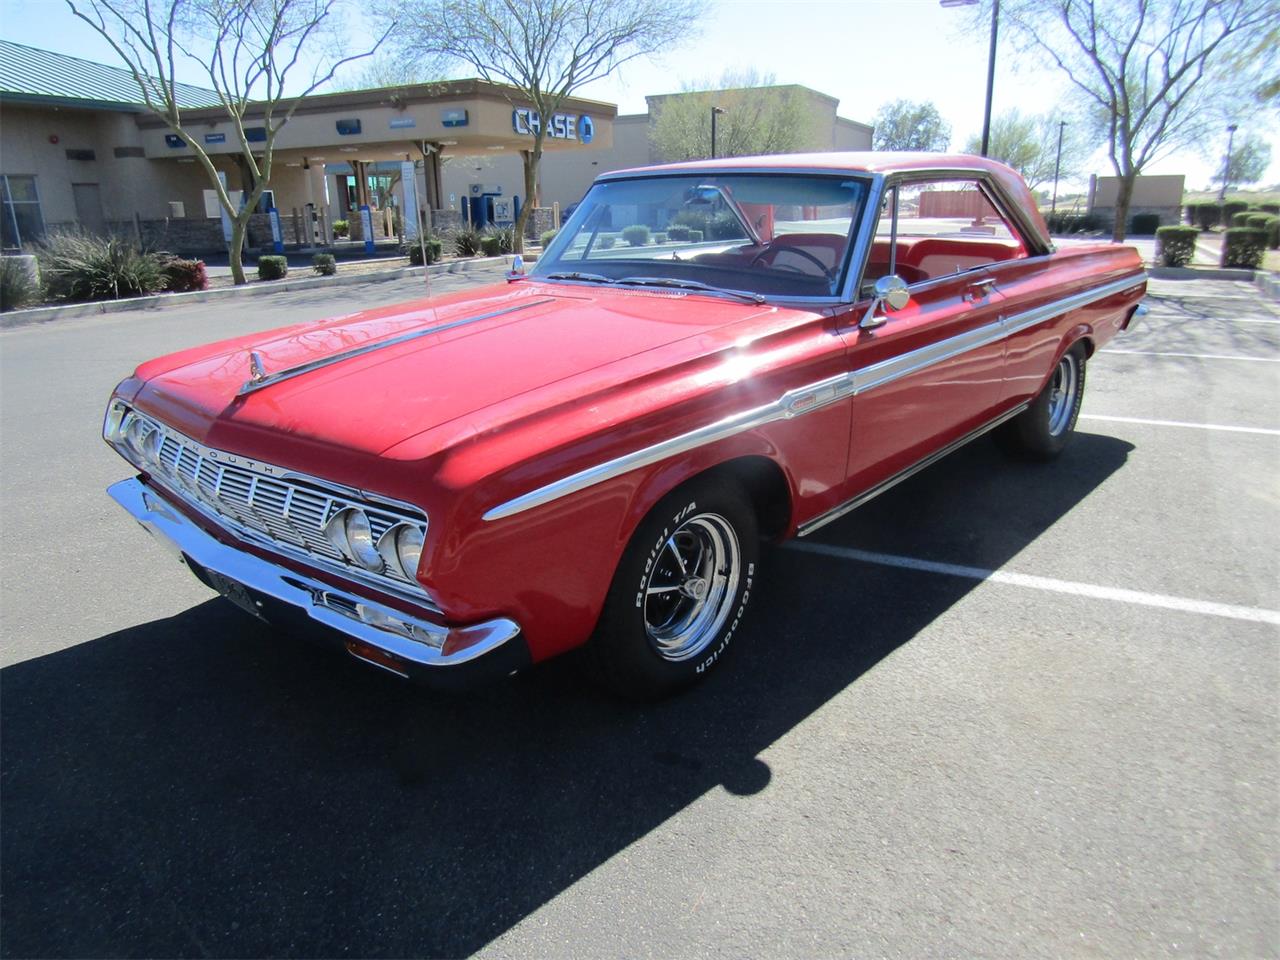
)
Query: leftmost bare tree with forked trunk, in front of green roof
[{"x": 248, "y": 51}]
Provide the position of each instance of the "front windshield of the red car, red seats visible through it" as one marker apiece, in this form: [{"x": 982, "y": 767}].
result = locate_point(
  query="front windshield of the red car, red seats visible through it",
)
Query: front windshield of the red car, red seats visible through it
[{"x": 765, "y": 235}]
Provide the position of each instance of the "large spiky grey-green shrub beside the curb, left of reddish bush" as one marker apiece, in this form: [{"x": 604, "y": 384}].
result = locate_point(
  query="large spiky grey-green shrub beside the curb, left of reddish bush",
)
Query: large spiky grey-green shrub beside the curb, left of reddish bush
[{"x": 84, "y": 267}]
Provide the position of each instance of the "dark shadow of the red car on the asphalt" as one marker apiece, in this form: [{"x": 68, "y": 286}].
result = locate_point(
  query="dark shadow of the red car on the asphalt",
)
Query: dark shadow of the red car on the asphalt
[{"x": 203, "y": 787}]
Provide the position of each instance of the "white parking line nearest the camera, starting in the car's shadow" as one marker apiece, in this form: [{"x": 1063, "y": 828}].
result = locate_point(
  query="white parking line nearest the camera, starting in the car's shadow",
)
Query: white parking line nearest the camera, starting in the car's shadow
[{"x": 1058, "y": 587}]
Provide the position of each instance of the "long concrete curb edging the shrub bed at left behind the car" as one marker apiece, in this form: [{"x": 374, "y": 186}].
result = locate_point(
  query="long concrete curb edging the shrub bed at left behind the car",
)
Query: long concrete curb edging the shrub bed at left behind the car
[{"x": 40, "y": 316}]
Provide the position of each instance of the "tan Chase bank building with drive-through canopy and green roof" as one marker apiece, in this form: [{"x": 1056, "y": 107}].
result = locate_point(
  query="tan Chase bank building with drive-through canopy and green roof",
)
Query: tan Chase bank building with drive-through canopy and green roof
[{"x": 79, "y": 150}]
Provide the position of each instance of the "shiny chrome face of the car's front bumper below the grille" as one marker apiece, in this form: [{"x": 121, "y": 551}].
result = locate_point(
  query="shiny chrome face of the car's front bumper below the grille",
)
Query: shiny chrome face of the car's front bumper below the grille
[{"x": 319, "y": 601}]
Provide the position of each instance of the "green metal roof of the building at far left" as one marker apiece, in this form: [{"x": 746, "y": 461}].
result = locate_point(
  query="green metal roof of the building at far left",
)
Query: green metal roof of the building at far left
[{"x": 29, "y": 75}]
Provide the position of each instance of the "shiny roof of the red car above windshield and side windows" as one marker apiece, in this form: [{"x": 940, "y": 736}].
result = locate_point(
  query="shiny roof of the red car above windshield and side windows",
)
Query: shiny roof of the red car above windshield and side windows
[{"x": 866, "y": 162}]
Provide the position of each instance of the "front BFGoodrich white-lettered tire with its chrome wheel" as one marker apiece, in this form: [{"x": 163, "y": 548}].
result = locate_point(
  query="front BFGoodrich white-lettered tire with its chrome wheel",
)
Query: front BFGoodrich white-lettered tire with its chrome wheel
[{"x": 680, "y": 593}]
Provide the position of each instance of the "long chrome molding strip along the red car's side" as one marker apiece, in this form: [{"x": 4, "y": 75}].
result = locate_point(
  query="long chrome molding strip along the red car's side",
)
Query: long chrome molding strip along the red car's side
[{"x": 811, "y": 397}]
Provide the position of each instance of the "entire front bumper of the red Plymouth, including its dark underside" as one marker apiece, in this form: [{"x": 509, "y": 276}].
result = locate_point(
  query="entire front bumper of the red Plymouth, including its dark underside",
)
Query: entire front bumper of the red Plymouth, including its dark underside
[{"x": 429, "y": 652}]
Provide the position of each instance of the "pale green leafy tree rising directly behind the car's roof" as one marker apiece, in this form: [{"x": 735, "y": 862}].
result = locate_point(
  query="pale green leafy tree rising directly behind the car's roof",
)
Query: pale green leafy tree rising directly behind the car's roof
[{"x": 758, "y": 118}]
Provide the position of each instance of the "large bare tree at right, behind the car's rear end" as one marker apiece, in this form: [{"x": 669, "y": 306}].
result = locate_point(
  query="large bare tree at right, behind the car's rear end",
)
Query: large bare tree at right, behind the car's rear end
[{"x": 1154, "y": 74}]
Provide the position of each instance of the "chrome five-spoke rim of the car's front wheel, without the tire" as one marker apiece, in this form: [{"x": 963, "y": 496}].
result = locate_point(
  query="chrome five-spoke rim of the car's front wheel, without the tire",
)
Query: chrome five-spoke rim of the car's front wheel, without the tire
[{"x": 692, "y": 587}]
